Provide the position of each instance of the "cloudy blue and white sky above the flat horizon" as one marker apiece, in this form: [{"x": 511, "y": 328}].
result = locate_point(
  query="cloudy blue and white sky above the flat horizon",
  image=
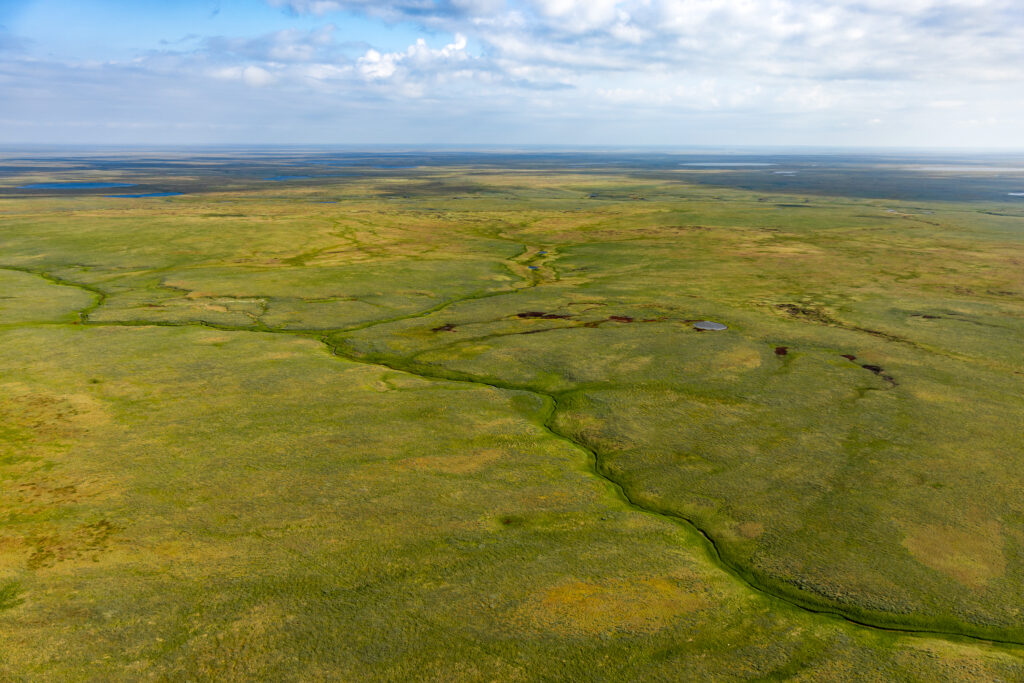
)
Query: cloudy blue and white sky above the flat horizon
[{"x": 607, "y": 73}]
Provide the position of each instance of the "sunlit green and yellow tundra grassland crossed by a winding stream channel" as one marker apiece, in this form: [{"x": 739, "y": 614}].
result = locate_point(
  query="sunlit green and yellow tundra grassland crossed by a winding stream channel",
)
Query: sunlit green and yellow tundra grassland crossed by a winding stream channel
[{"x": 457, "y": 425}]
